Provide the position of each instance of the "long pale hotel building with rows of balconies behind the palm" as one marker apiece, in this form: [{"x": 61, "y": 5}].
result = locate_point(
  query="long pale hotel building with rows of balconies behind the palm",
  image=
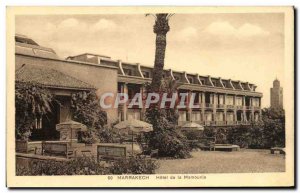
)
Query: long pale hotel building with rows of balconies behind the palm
[{"x": 222, "y": 102}]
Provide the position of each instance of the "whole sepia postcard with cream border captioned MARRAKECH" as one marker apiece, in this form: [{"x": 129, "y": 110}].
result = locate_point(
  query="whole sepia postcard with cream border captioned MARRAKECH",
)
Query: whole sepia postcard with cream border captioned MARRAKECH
[{"x": 150, "y": 97}]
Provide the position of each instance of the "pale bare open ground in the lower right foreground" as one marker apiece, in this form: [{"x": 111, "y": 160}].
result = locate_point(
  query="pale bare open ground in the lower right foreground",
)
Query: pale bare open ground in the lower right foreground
[{"x": 243, "y": 161}]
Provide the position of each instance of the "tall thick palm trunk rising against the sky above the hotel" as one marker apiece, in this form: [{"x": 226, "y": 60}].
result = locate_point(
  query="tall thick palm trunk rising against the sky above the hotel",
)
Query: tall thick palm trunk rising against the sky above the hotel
[{"x": 161, "y": 28}]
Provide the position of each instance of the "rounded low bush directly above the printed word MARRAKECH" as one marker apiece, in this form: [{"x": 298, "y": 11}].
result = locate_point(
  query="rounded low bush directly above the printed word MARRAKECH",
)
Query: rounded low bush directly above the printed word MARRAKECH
[{"x": 134, "y": 165}]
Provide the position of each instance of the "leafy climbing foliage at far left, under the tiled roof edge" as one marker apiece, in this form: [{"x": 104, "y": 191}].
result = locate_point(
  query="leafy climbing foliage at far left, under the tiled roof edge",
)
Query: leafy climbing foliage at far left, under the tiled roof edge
[{"x": 32, "y": 102}]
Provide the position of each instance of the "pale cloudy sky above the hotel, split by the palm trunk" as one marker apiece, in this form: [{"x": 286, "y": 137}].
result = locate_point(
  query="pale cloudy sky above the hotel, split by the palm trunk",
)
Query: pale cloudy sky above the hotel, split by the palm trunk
[{"x": 241, "y": 46}]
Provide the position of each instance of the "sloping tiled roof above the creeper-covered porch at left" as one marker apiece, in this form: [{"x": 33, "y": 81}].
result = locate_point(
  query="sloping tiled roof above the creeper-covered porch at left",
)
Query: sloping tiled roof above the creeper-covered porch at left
[{"x": 49, "y": 77}]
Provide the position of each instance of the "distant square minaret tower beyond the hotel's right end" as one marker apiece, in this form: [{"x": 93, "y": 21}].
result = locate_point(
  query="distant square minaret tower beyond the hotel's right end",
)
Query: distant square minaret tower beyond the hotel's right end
[{"x": 276, "y": 95}]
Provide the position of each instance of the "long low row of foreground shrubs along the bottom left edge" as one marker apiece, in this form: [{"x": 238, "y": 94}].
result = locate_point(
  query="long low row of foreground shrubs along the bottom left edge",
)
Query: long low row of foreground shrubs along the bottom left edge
[{"x": 88, "y": 166}]
